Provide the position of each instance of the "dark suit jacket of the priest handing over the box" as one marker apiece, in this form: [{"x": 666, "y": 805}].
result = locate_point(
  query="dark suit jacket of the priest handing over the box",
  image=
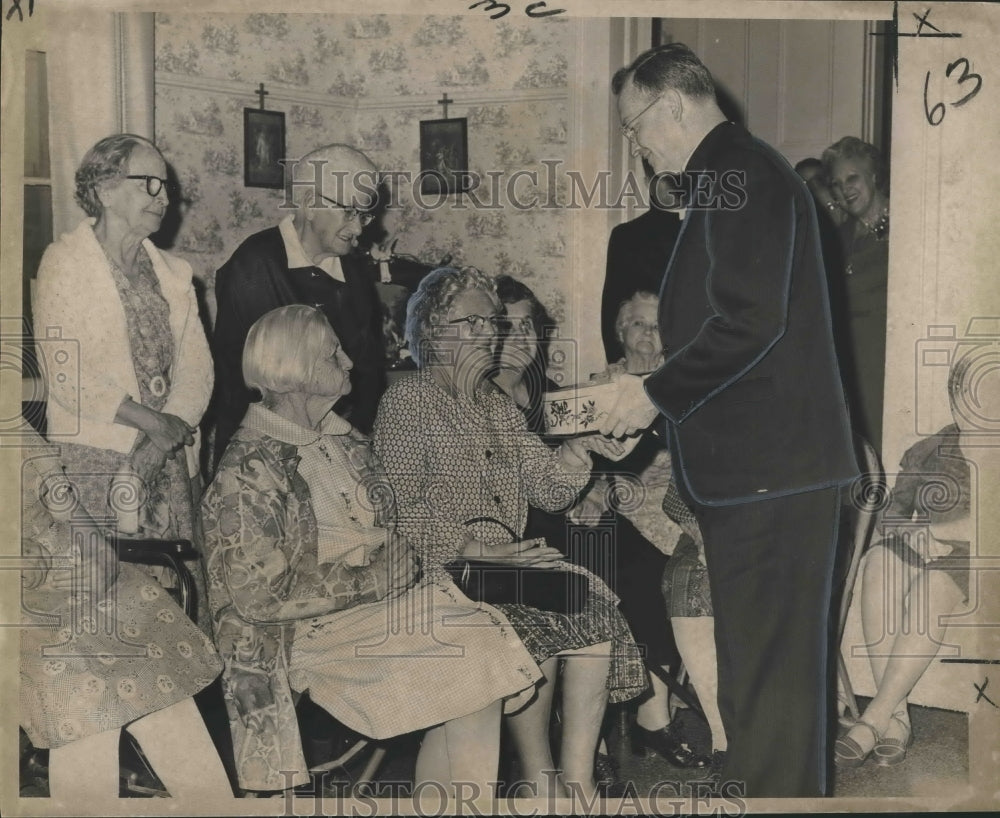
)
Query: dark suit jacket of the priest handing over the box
[{"x": 750, "y": 383}]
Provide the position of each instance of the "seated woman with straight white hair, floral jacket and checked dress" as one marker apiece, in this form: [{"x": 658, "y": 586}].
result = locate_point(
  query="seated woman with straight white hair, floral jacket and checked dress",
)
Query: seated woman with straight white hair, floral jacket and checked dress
[{"x": 311, "y": 588}]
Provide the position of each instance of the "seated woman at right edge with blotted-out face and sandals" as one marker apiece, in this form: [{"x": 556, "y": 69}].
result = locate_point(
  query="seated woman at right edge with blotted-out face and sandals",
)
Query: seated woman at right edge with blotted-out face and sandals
[{"x": 918, "y": 573}]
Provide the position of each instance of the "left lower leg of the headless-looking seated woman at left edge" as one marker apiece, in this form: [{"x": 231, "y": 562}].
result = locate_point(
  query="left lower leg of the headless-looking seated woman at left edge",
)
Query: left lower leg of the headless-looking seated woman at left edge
[{"x": 86, "y": 770}]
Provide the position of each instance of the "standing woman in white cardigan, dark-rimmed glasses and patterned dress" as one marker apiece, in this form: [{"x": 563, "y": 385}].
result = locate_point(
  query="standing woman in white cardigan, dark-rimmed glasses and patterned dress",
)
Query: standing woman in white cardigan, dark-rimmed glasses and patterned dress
[{"x": 127, "y": 365}]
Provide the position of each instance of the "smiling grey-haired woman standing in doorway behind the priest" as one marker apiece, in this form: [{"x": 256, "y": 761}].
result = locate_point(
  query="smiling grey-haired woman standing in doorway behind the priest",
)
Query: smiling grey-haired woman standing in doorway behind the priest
[{"x": 859, "y": 178}]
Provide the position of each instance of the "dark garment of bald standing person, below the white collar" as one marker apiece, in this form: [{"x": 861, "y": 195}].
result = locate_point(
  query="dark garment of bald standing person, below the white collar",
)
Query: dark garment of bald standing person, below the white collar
[{"x": 256, "y": 280}]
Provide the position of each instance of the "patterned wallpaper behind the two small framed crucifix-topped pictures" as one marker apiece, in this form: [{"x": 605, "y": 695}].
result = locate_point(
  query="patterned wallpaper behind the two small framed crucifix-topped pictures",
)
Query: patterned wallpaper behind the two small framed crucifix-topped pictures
[{"x": 338, "y": 65}]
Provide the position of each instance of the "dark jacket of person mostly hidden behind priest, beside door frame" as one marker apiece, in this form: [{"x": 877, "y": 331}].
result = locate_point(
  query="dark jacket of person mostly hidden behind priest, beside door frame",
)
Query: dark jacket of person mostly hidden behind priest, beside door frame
[{"x": 638, "y": 252}]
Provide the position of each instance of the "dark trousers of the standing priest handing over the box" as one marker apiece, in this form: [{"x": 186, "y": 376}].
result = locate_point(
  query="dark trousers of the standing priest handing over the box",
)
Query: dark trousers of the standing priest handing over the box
[{"x": 770, "y": 565}]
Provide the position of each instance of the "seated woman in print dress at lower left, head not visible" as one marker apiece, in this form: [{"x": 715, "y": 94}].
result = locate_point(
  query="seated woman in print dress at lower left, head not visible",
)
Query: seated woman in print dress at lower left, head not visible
[{"x": 119, "y": 653}]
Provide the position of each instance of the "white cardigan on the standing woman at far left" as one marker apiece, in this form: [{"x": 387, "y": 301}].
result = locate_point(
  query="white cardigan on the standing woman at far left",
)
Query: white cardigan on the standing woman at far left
[{"x": 77, "y": 310}]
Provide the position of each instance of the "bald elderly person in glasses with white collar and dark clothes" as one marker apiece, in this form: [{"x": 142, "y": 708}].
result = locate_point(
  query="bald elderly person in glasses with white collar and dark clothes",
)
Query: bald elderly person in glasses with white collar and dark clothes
[{"x": 305, "y": 259}]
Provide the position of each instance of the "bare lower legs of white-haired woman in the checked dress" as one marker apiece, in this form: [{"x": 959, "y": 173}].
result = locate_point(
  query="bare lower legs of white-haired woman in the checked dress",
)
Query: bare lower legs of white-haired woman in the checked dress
[{"x": 462, "y": 751}]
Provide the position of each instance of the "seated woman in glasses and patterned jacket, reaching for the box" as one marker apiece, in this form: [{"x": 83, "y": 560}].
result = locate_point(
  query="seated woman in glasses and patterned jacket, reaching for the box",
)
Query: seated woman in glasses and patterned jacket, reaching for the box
[{"x": 464, "y": 469}]
